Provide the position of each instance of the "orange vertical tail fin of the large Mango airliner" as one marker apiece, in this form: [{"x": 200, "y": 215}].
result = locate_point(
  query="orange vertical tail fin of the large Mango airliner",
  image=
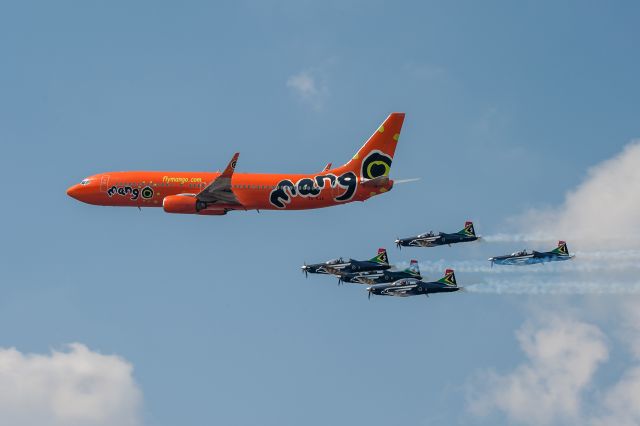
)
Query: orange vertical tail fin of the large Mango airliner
[{"x": 374, "y": 158}]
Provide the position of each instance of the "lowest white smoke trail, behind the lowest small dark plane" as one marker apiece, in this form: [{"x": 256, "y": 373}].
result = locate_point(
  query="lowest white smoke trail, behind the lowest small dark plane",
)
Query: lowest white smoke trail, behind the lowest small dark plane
[{"x": 554, "y": 287}]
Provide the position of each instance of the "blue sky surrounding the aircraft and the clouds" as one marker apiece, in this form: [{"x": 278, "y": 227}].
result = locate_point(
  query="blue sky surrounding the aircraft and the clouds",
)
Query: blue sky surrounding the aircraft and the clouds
[{"x": 508, "y": 105}]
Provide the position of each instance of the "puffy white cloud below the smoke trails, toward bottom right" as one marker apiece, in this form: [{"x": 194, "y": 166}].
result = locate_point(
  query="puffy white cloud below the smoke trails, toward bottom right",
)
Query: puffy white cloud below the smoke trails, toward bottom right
[{"x": 562, "y": 356}]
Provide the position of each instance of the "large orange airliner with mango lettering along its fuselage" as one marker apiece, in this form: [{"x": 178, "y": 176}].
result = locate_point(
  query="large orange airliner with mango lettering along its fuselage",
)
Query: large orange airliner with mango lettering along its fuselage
[{"x": 206, "y": 193}]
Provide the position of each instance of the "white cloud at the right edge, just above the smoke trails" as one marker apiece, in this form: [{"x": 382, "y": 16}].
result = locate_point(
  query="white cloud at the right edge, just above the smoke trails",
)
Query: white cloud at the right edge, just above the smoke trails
[{"x": 603, "y": 210}]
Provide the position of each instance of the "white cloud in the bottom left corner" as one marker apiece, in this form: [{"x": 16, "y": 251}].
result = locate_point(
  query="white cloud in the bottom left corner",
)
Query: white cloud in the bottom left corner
[{"x": 72, "y": 387}]
